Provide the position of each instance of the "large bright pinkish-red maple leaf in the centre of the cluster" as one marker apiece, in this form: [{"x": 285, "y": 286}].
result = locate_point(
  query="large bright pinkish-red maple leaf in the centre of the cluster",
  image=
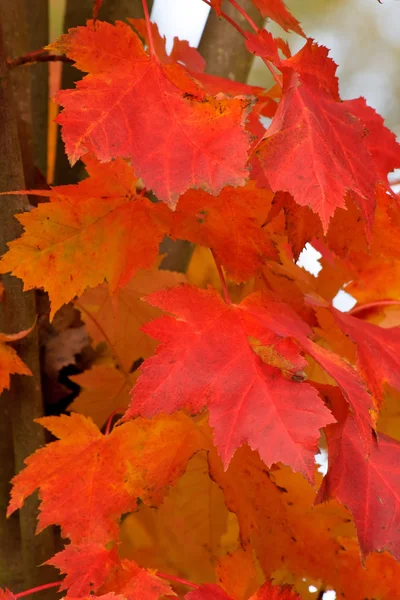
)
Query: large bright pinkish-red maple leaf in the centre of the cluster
[{"x": 205, "y": 359}]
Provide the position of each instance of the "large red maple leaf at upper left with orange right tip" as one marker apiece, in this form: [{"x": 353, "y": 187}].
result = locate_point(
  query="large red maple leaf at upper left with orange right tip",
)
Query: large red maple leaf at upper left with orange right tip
[{"x": 120, "y": 111}]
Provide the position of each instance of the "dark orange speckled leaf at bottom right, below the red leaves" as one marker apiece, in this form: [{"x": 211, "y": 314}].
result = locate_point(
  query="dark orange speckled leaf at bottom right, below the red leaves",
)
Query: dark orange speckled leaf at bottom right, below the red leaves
[{"x": 286, "y": 533}]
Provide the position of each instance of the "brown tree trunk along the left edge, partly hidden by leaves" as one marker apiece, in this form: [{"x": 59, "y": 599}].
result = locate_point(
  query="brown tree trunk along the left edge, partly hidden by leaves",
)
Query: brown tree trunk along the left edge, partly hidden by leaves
[{"x": 23, "y": 402}]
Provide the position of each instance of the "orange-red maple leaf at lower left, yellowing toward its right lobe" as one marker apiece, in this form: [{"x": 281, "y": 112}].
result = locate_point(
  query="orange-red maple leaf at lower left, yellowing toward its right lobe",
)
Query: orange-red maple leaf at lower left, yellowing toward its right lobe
[{"x": 87, "y": 480}]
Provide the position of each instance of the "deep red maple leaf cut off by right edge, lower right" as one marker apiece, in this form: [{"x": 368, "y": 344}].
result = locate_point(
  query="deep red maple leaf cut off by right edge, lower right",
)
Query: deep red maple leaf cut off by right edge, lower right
[{"x": 370, "y": 488}]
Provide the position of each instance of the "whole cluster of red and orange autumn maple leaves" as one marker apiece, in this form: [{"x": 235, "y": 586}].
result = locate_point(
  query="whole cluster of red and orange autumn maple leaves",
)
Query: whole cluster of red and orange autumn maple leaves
[{"x": 212, "y": 463}]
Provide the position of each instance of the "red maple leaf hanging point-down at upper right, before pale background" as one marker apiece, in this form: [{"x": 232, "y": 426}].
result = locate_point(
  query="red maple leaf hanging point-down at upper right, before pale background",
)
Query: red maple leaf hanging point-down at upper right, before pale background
[{"x": 314, "y": 147}]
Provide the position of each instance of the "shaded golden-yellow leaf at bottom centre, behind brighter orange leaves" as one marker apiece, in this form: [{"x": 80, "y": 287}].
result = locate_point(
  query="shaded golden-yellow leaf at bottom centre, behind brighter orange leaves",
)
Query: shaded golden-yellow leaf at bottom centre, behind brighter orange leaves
[{"x": 188, "y": 532}]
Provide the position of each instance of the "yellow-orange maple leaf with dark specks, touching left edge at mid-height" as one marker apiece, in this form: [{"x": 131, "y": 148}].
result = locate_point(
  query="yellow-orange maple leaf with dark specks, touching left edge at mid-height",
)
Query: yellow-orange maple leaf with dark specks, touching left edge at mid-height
[{"x": 98, "y": 229}]
